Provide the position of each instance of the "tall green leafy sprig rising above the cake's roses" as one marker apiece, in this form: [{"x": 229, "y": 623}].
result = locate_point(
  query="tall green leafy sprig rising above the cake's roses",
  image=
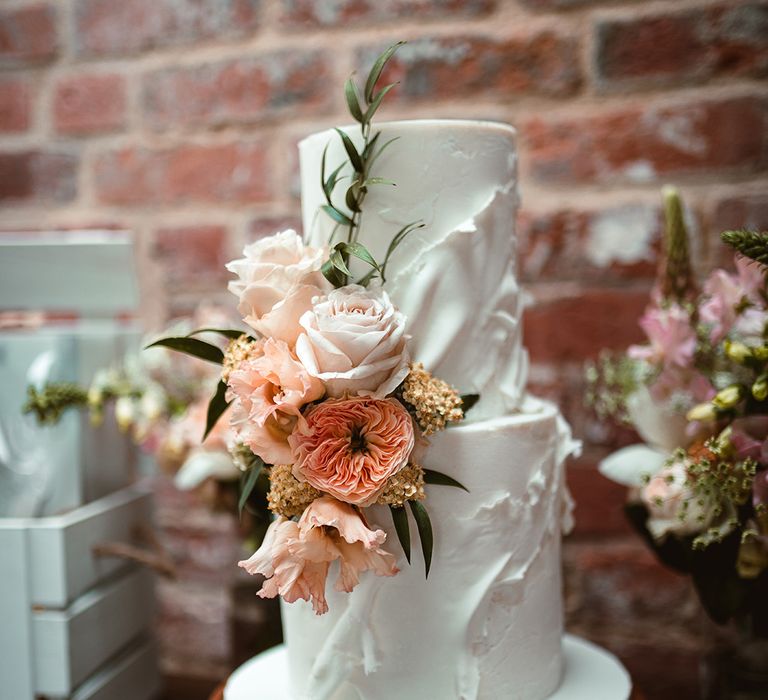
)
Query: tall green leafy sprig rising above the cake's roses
[{"x": 362, "y": 106}]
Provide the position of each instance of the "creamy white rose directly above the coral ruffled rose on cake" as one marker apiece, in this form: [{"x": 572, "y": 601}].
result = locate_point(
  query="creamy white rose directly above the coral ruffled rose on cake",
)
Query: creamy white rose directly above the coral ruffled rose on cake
[{"x": 354, "y": 341}]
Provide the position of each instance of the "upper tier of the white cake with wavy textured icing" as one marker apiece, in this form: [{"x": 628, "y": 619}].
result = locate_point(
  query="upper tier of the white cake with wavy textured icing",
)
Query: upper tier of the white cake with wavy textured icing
[{"x": 455, "y": 277}]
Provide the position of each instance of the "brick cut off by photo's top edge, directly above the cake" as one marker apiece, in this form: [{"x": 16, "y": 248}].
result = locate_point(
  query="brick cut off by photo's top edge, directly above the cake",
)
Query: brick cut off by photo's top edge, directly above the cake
[{"x": 340, "y": 13}]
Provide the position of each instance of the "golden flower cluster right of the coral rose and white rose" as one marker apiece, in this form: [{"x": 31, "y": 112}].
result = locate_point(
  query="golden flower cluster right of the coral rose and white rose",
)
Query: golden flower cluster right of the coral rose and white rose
[{"x": 431, "y": 401}]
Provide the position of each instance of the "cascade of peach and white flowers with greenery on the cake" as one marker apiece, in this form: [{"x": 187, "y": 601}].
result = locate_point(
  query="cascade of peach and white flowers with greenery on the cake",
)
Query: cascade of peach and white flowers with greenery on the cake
[{"x": 322, "y": 395}]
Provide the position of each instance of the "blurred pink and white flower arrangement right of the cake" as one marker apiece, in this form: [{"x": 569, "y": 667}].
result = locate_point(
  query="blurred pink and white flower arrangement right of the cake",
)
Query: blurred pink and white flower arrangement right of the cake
[{"x": 697, "y": 393}]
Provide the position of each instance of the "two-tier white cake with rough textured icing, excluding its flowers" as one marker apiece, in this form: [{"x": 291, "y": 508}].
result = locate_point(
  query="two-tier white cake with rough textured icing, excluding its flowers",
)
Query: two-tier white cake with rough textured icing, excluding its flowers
[{"x": 487, "y": 623}]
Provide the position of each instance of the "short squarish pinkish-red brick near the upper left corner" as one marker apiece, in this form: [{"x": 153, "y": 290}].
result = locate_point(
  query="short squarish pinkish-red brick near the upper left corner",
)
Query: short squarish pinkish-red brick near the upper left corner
[{"x": 85, "y": 104}]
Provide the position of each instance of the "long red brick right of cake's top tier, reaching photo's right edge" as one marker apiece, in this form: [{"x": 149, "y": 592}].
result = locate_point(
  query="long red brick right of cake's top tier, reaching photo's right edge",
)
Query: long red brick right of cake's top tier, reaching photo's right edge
[{"x": 645, "y": 145}]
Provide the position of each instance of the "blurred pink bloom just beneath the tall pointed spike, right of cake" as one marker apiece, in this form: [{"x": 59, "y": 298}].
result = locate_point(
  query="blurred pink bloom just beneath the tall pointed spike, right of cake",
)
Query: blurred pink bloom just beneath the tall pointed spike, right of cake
[{"x": 672, "y": 339}]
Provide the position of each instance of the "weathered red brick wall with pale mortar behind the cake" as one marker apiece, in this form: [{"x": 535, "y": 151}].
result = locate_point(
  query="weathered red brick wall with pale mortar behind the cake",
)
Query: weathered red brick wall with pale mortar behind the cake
[{"x": 178, "y": 119}]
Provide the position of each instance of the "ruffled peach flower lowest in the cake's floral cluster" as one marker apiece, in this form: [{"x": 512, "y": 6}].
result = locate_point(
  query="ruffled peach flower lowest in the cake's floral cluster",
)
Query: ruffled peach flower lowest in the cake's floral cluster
[{"x": 295, "y": 557}]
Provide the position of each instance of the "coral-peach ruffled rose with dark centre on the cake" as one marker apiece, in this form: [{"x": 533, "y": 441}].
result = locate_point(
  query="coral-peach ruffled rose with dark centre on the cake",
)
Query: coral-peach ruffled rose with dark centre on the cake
[{"x": 350, "y": 447}]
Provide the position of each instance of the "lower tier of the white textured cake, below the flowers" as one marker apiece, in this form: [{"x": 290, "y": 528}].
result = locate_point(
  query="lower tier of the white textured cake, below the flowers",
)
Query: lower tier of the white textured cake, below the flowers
[{"x": 487, "y": 623}]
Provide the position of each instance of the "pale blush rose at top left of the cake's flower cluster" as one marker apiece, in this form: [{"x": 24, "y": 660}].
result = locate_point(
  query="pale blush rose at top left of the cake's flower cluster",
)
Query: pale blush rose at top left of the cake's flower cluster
[{"x": 278, "y": 277}]
